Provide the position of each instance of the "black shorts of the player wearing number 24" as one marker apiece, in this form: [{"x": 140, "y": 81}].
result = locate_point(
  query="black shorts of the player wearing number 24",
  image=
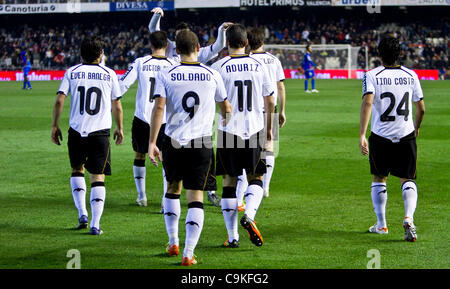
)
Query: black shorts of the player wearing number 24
[{"x": 398, "y": 159}]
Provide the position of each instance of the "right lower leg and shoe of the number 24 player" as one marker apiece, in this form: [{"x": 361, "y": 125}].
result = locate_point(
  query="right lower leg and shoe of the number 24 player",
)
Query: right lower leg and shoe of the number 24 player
[{"x": 409, "y": 193}]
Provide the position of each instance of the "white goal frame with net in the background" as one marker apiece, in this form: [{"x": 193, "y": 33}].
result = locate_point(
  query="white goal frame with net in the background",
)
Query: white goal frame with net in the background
[{"x": 326, "y": 56}]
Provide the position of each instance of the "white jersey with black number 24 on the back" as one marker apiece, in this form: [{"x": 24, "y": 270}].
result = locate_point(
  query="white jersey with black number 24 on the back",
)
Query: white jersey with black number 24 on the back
[{"x": 394, "y": 89}]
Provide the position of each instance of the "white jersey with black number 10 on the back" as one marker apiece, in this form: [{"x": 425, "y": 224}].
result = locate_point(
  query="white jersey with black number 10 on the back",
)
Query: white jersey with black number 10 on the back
[{"x": 91, "y": 87}]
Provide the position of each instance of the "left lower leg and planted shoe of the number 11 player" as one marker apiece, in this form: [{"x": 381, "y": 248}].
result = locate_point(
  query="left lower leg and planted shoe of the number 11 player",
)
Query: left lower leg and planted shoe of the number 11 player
[{"x": 229, "y": 204}]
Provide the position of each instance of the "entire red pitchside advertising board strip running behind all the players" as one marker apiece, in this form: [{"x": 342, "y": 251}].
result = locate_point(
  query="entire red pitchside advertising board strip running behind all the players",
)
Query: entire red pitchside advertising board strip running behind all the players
[{"x": 45, "y": 75}]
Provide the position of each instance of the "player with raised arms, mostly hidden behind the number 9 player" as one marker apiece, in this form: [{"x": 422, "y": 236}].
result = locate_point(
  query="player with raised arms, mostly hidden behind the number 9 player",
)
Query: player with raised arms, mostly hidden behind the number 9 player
[{"x": 205, "y": 54}]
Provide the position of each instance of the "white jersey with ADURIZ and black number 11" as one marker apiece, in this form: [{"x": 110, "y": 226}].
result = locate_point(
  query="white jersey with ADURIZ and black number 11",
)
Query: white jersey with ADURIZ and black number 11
[{"x": 247, "y": 82}]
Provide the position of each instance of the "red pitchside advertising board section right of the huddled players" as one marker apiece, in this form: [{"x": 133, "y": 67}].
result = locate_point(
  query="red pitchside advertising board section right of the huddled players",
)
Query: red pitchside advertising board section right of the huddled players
[{"x": 423, "y": 74}]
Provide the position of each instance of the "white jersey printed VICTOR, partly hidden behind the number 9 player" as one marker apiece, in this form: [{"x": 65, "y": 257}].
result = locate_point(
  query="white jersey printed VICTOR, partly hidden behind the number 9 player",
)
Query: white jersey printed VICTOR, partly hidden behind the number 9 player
[{"x": 144, "y": 69}]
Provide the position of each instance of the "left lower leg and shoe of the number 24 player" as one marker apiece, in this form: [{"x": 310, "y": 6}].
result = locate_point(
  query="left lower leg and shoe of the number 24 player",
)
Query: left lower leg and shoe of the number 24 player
[{"x": 379, "y": 200}]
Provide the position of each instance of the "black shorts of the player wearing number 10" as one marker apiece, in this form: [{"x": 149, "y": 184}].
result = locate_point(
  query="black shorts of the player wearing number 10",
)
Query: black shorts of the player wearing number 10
[{"x": 93, "y": 151}]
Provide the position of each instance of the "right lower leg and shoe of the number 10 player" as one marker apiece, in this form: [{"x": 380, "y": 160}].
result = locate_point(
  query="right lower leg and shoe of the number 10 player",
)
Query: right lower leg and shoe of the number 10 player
[{"x": 97, "y": 201}]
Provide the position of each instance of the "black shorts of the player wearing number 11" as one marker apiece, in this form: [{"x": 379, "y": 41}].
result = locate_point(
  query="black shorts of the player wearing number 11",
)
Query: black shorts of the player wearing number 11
[{"x": 235, "y": 154}]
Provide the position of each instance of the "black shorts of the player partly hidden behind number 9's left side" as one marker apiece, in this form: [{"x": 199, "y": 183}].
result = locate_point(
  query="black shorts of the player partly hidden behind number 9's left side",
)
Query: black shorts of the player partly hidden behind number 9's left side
[{"x": 140, "y": 135}]
